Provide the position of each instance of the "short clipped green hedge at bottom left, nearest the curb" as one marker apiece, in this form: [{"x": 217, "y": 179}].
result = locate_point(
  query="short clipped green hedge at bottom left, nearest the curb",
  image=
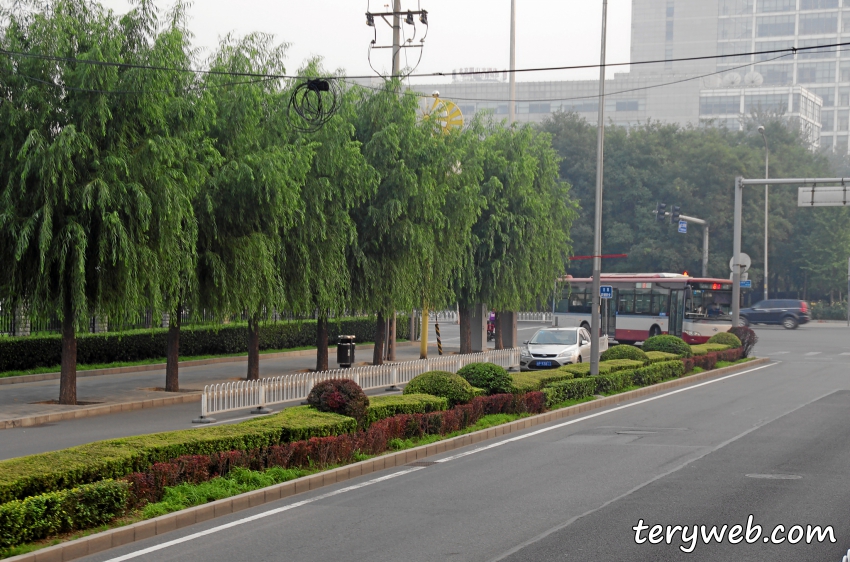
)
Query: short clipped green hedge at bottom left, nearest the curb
[{"x": 44, "y": 515}]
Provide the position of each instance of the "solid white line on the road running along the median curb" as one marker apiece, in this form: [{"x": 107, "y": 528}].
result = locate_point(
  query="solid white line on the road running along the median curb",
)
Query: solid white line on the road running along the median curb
[{"x": 269, "y": 513}]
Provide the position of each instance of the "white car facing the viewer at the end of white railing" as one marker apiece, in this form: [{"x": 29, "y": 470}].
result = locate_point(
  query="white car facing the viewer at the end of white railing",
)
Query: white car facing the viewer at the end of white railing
[{"x": 551, "y": 348}]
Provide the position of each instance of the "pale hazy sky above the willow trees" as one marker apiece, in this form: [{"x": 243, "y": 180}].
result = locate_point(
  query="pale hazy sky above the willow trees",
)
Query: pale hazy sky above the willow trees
[{"x": 463, "y": 33}]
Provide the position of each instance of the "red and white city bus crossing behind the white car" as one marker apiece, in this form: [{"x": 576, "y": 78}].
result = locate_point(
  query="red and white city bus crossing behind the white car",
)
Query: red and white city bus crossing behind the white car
[{"x": 650, "y": 304}]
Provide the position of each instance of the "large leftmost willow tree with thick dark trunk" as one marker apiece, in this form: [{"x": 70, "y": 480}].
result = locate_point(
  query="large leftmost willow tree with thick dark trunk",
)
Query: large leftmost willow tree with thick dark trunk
[{"x": 89, "y": 163}]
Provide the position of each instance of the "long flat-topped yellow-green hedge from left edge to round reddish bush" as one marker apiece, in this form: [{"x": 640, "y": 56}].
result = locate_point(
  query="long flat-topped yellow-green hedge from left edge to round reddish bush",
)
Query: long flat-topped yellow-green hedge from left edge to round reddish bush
[{"x": 58, "y": 470}]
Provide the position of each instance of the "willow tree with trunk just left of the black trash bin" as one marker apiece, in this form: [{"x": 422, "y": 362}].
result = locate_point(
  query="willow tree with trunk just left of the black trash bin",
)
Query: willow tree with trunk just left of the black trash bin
[{"x": 315, "y": 271}]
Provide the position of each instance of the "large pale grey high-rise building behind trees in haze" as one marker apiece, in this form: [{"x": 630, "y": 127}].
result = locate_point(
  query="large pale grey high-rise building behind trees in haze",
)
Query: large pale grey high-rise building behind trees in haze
[{"x": 811, "y": 86}]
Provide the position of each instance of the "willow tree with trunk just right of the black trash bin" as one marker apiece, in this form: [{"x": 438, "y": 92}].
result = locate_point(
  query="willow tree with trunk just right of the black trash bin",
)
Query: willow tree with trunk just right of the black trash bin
[{"x": 396, "y": 224}]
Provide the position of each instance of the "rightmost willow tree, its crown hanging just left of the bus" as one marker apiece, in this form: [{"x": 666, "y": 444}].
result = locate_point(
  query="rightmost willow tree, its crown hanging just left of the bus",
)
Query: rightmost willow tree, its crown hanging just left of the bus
[{"x": 521, "y": 240}]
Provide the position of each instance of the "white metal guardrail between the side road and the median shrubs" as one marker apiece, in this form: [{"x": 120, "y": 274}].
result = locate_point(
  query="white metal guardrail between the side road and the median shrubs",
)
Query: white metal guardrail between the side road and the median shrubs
[{"x": 228, "y": 397}]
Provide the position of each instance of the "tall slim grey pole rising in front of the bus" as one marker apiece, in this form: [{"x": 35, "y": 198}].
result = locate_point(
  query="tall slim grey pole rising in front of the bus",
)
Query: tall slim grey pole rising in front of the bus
[{"x": 597, "y": 237}]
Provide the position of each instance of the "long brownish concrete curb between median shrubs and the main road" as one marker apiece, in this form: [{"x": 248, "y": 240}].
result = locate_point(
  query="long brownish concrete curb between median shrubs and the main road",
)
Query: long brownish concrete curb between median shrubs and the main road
[{"x": 166, "y": 523}]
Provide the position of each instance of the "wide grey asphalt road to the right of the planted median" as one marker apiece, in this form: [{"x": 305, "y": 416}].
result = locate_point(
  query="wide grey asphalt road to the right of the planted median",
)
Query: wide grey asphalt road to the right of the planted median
[{"x": 769, "y": 442}]
